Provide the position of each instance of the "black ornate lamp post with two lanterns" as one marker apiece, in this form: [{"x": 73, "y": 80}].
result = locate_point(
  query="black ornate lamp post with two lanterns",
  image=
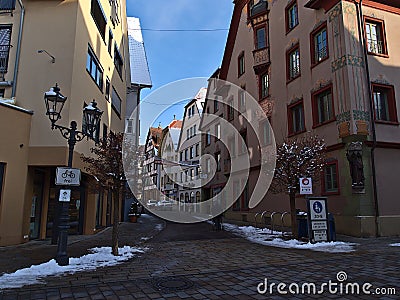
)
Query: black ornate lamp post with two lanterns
[{"x": 55, "y": 101}]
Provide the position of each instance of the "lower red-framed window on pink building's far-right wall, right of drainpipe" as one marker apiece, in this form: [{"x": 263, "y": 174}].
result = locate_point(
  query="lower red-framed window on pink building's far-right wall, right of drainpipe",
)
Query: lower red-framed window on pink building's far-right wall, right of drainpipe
[{"x": 384, "y": 103}]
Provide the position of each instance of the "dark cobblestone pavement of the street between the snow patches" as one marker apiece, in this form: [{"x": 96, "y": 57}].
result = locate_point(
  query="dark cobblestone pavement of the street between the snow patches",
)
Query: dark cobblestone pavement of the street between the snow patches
[{"x": 195, "y": 262}]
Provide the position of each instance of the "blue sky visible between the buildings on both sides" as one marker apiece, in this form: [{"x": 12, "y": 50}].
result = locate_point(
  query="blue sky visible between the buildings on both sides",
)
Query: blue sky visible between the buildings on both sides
[{"x": 174, "y": 56}]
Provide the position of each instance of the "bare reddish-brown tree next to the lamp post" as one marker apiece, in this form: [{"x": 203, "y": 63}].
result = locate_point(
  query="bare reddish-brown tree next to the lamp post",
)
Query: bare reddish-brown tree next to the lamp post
[{"x": 107, "y": 166}]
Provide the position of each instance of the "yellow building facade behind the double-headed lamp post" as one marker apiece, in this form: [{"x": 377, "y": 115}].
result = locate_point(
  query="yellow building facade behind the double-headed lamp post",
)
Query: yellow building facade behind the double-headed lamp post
[{"x": 81, "y": 45}]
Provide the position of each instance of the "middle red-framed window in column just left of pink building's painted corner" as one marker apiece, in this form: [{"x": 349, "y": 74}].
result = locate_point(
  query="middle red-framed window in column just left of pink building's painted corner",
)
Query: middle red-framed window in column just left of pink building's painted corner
[{"x": 323, "y": 111}]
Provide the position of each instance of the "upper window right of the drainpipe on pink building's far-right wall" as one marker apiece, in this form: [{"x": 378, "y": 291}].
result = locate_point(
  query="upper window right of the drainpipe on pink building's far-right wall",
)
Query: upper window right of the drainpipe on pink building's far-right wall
[{"x": 375, "y": 34}]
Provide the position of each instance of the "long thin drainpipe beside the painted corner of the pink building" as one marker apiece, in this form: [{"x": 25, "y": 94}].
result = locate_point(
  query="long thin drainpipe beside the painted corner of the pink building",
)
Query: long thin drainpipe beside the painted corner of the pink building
[{"x": 371, "y": 108}]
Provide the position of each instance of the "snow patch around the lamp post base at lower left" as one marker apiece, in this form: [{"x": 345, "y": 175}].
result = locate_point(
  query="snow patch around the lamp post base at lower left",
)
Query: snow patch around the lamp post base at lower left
[{"x": 100, "y": 257}]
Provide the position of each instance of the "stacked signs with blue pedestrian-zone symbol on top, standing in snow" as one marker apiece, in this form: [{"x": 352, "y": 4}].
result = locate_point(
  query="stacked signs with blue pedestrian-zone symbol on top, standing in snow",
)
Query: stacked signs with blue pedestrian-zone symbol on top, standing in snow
[{"x": 318, "y": 219}]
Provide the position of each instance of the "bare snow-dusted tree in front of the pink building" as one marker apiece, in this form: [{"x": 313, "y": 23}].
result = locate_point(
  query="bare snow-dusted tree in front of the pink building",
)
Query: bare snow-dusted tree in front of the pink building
[{"x": 296, "y": 158}]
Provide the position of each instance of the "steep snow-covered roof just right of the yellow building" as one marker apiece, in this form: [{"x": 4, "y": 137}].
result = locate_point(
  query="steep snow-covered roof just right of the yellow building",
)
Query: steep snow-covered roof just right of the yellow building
[{"x": 140, "y": 73}]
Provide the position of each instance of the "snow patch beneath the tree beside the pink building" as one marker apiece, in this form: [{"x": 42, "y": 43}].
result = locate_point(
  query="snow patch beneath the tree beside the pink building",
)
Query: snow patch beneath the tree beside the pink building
[{"x": 265, "y": 237}]
